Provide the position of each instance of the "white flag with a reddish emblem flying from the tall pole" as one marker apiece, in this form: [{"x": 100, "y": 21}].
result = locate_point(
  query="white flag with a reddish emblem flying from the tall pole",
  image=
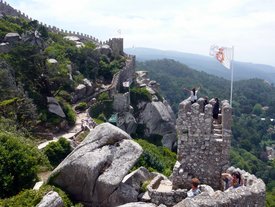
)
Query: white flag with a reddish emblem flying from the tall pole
[{"x": 222, "y": 54}]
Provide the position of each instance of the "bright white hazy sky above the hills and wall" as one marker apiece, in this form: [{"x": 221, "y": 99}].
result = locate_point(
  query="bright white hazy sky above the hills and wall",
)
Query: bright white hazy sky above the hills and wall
[{"x": 182, "y": 25}]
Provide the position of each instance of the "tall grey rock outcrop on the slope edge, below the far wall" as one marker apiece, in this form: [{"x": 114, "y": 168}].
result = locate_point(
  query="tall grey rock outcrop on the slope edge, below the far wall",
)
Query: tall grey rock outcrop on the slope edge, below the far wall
[{"x": 157, "y": 116}]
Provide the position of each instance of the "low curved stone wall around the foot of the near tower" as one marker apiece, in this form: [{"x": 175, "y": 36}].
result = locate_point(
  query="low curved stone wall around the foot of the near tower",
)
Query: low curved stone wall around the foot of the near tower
[{"x": 250, "y": 194}]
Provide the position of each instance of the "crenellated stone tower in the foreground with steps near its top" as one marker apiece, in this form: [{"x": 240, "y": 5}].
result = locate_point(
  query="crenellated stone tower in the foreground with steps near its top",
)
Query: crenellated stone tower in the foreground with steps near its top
[{"x": 203, "y": 147}]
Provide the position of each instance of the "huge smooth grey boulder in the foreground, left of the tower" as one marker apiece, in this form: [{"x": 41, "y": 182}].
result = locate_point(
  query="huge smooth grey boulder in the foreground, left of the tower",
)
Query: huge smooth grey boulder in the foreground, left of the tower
[{"x": 92, "y": 174}]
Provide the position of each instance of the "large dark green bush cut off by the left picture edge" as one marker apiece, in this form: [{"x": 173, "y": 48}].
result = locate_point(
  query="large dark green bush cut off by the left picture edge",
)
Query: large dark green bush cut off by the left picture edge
[{"x": 19, "y": 164}]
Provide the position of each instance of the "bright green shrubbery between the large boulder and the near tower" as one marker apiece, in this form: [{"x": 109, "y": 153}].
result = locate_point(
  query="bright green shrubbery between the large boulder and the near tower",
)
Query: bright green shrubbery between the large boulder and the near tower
[{"x": 154, "y": 158}]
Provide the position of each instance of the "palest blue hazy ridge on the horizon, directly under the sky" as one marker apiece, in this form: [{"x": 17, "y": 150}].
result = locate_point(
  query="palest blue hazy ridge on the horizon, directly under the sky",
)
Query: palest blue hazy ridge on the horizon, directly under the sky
[{"x": 242, "y": 70}]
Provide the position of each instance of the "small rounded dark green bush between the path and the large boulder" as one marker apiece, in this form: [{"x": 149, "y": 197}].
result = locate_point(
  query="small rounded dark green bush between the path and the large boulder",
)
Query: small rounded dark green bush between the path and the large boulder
[{"x": 57, "y": 151}]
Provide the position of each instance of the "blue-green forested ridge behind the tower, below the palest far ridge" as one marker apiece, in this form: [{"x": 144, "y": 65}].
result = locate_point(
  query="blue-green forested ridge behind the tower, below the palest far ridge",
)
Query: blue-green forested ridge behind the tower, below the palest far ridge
[{"x": 173, "y": 76}]
